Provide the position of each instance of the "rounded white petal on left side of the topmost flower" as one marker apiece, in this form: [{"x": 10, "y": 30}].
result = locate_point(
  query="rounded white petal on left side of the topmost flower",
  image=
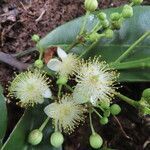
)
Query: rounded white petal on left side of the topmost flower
[{"x": 54, "y": 64}]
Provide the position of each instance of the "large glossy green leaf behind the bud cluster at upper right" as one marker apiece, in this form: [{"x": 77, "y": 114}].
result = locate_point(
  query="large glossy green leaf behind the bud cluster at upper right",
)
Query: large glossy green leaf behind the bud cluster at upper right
[{"x": 111, "y": 49}]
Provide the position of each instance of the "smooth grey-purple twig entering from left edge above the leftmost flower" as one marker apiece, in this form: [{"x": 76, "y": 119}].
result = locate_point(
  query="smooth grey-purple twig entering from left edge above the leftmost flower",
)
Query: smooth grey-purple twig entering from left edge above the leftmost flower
[{"x": 8, "y": 59}]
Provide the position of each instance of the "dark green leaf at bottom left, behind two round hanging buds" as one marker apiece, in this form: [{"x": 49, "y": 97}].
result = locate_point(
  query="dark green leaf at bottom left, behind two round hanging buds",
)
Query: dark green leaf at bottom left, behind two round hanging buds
[{"x": 31, "y": 119}]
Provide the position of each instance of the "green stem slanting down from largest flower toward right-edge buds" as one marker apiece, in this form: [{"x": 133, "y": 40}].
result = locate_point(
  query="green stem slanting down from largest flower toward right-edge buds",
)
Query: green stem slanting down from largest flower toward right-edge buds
[{"x": 128, "y": 100}]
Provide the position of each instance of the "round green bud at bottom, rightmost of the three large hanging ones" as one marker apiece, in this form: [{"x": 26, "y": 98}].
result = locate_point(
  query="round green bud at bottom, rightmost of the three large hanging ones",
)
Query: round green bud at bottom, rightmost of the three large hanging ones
[{"x": 96, "y": 141}]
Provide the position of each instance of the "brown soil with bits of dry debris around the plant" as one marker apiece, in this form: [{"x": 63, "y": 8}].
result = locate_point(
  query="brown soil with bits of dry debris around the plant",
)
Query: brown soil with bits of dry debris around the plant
[{"x": 19, "y": 20}]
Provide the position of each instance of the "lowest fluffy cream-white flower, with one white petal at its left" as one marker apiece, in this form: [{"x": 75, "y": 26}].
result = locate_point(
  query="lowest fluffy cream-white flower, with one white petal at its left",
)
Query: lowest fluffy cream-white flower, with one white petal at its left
[{"x": 67, "y": 113}]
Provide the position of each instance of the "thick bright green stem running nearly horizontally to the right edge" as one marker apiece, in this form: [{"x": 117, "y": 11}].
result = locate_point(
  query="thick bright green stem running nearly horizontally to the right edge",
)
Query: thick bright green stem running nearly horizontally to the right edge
[{"x": 142, "y": 63}]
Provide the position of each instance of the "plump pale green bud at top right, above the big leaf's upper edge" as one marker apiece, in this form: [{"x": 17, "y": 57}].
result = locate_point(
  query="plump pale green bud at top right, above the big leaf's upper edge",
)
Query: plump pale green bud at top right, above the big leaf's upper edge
[{"x": 127, "y": 11}]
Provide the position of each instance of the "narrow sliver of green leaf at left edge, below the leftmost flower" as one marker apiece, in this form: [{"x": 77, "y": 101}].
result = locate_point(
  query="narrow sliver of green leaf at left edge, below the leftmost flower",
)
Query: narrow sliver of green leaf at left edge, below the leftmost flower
[{"x": 3, "y": 117}]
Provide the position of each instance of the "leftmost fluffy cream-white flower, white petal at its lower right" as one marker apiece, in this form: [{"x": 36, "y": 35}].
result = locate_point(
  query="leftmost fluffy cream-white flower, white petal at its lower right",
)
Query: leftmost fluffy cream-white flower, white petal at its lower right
[{"x": 30, "y": 87}]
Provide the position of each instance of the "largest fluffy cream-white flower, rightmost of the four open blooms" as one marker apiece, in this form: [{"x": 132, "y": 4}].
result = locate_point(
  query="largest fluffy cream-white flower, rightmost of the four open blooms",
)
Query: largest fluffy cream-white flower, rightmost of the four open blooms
[{"x": 95, "y": 82}]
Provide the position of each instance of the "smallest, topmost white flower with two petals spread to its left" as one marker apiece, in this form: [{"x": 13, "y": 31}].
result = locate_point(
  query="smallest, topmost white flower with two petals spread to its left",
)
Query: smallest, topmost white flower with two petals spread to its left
[{"x": 67, "y": 65}]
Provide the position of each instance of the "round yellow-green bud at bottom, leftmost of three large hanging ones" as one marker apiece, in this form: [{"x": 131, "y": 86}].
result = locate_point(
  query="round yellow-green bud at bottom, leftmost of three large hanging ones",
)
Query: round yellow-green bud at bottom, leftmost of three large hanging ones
[{"x": 35, "y": 137}]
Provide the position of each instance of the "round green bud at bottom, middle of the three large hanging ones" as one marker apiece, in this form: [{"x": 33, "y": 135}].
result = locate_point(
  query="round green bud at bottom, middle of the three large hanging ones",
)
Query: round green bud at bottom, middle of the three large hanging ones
[{"x": 57, "y": 139}]
